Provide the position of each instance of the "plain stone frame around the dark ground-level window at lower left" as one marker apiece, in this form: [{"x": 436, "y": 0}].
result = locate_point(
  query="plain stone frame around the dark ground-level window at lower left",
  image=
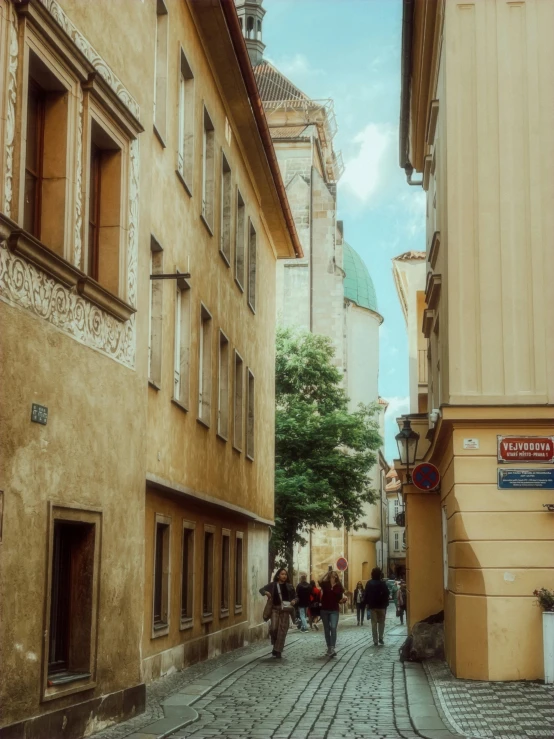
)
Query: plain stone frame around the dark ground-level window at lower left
[{"x": 90, "y": 516}]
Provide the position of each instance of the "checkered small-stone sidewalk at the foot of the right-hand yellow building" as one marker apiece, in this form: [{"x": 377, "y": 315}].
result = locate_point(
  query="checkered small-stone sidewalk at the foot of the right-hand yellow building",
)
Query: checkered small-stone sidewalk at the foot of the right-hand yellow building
[{"x": 514, "y": 710}]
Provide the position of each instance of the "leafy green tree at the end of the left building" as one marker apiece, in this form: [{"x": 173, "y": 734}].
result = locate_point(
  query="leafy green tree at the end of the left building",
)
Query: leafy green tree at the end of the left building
[{"x": 324, "y": 452}]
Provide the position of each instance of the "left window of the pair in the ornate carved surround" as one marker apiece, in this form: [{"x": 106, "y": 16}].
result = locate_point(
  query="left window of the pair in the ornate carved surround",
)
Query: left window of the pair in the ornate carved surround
[{"x": 46, "y": 167}]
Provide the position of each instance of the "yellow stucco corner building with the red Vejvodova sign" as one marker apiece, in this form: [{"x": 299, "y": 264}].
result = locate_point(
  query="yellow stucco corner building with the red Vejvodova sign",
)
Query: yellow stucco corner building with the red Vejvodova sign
[{"x": 476, "y": 131}]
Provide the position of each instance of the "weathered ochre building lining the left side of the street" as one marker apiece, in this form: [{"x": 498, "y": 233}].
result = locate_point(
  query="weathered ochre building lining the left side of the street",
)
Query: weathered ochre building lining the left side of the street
[{"x": 136, "y": 464}]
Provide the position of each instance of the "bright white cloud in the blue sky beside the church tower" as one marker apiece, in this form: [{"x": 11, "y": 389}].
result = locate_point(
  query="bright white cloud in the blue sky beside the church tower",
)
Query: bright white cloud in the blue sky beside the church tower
[{"x": 367, "y": 169}]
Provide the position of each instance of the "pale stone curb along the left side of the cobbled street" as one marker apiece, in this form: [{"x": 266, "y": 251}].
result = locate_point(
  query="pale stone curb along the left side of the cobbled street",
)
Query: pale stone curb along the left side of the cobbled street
[{"x": 177, "y": 707}]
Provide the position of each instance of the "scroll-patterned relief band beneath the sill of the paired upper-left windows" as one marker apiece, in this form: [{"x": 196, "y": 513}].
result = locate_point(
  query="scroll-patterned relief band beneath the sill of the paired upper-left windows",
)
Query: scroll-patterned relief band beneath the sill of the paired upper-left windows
[{"x": 22, "y": 284}]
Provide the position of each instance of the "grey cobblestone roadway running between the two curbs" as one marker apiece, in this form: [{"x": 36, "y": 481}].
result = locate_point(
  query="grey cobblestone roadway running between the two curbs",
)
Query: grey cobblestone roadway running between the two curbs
[{"x": 307, "y": 695}]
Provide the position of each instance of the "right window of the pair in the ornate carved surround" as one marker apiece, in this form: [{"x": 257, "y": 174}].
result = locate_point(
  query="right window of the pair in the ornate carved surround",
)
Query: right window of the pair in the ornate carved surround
[{"x": 105, "y": 222}]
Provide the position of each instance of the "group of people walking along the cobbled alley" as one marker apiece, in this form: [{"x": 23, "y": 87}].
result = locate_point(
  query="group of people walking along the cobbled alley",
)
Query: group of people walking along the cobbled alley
[{"x": 314, "y": 603}]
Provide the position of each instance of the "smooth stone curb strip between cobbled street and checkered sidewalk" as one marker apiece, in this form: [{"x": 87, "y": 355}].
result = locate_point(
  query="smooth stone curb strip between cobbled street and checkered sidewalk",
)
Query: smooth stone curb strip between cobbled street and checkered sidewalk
[{"x": 427, "y": 717}]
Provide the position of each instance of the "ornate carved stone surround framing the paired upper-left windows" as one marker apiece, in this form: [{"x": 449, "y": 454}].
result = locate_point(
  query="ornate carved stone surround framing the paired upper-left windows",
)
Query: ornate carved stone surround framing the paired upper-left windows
[{"x": 43, "y": 26}]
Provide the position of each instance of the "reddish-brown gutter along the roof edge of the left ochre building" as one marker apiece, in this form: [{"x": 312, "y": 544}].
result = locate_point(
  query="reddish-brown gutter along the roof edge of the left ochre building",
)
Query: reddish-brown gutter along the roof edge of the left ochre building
[{"x": 231, "y": 17}]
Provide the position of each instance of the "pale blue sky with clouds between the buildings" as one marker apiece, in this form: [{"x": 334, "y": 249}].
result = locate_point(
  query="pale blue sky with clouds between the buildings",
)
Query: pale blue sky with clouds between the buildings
[{"x": 349, "y": 50}]
